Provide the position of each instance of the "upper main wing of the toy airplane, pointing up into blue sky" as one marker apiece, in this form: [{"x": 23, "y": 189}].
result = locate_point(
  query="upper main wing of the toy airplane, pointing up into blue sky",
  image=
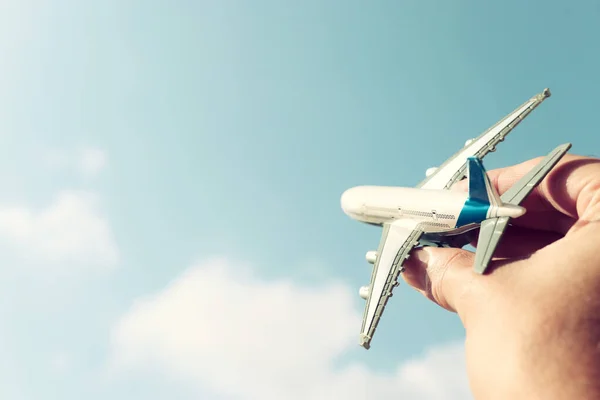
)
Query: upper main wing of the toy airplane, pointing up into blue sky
[{"x": 453, "y": 170}]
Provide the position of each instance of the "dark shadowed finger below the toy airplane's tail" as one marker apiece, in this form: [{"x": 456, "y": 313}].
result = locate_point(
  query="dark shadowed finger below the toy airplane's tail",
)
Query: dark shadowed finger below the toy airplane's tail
[{"x": 520, "y": 242}]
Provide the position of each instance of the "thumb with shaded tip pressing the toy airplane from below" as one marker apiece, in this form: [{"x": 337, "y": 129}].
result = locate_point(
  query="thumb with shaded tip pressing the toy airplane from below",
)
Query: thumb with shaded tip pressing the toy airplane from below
[{"x": 441, "y": 274}]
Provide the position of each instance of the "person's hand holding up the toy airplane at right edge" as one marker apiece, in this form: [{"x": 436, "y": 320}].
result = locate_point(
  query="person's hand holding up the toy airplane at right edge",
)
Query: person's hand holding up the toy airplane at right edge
[{"x": 533, "y": 323}]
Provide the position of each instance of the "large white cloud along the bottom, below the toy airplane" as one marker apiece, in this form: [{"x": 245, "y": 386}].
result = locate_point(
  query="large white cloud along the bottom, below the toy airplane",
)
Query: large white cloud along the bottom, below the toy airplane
[{"x": 226, "y": 331}]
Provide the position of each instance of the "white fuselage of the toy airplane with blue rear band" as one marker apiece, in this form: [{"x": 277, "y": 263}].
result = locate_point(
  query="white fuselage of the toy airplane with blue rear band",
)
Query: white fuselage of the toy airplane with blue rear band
[{"x": 437, "y": 210}]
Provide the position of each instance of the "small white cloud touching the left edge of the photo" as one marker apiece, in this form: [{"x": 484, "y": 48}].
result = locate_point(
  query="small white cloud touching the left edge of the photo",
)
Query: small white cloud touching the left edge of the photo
[{"x": 71, "y": 230}]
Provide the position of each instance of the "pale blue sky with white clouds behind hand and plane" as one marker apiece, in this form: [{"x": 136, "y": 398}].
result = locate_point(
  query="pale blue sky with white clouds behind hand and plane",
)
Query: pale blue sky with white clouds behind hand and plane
[{"x": 170, "y": 225}]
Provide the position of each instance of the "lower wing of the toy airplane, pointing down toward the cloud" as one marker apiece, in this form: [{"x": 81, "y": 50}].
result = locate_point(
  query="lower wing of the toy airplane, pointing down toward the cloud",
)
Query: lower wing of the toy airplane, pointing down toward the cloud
[{"x": 397, "y": 240}]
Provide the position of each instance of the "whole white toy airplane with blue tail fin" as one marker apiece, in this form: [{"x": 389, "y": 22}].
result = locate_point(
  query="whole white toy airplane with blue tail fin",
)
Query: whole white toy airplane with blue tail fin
[{"x": 433, "y": 215}]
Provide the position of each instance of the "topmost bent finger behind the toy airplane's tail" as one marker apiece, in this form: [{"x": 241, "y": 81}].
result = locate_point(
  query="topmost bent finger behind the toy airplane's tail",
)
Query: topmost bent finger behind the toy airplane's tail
[{"x": 560, "y": 199}]
